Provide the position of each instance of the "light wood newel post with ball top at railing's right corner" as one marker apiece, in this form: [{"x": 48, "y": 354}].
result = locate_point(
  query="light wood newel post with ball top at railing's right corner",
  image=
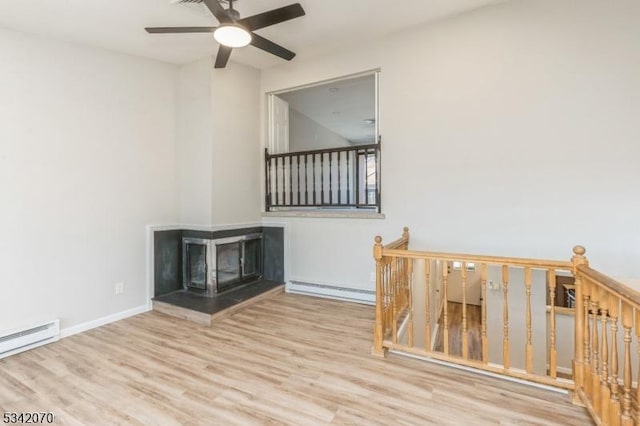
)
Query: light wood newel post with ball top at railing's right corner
[{"x": 577, "y": 260}]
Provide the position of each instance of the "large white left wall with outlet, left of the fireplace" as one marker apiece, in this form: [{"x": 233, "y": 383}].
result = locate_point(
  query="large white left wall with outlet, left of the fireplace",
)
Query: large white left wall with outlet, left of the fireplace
[{"x": 86, "y": 162}]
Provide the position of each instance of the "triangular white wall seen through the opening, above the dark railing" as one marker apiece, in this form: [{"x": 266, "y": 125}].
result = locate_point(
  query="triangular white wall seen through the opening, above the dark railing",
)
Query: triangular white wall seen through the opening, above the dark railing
[{"x": 306, "y": 134}]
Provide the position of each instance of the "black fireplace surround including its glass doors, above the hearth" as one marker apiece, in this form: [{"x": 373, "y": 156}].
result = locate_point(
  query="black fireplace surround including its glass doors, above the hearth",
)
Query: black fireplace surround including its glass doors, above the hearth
[{"x": 213, "y": 262}]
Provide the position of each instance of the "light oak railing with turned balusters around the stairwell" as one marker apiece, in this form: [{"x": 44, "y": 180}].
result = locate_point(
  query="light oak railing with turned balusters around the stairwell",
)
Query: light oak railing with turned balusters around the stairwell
[{"x": 517, "y": 332}]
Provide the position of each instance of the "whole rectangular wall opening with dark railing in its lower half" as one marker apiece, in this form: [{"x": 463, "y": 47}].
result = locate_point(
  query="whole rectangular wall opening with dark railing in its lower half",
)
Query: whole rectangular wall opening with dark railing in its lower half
[{"x": 323, "y": 148}]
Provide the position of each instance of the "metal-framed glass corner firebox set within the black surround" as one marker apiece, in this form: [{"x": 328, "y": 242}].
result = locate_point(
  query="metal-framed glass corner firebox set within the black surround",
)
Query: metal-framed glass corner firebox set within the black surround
[{"x": 214, "y": 266}]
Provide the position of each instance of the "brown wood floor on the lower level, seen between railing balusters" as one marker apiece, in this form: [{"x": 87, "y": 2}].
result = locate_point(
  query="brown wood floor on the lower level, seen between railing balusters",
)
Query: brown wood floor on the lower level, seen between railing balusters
[{"x": 474, "y": 330}]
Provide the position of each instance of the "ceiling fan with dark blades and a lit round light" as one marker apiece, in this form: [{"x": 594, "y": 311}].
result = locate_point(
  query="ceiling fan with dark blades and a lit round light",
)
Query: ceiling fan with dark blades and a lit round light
[{"x": 236, "y": 32}]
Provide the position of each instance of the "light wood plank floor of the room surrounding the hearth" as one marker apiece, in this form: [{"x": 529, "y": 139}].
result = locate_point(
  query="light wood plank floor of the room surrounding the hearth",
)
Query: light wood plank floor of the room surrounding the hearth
[{"x": 284, "y": 360}]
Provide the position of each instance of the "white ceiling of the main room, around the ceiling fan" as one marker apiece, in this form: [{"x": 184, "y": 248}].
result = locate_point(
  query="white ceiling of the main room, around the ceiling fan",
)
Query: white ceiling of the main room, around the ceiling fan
[{"x": 118, "y": 24}]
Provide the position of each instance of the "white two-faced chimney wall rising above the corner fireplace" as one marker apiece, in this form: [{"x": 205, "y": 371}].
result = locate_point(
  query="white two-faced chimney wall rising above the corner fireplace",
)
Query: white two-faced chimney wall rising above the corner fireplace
[{"x": 219, "y": 117}]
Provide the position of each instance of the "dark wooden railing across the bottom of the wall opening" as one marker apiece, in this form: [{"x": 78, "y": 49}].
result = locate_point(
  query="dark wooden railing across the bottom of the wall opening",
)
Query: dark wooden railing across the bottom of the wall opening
[{"x": 346, "y": 177}]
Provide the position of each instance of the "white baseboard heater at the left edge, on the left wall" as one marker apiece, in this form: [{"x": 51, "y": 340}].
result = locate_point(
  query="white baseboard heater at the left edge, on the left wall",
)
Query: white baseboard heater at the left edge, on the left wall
[{"x": 19, "y": 340}]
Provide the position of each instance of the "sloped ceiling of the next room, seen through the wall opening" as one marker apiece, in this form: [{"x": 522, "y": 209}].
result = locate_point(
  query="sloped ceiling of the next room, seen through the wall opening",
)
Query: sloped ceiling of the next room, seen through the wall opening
[{"x": 340, "y": 106}]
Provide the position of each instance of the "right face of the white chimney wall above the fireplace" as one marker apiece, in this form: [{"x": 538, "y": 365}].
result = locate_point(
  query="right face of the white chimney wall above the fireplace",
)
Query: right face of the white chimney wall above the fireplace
[{"x": 236, "y": 164}]
